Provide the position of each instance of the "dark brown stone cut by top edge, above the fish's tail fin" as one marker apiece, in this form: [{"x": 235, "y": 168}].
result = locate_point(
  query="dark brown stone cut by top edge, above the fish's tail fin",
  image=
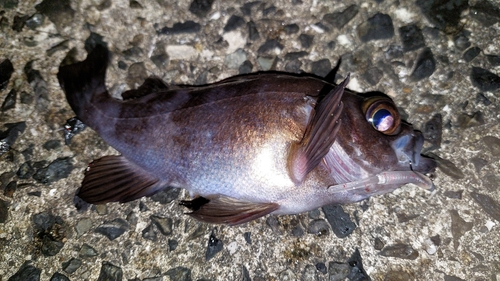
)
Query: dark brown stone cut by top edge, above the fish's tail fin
[{"x": 58, "y": 11}]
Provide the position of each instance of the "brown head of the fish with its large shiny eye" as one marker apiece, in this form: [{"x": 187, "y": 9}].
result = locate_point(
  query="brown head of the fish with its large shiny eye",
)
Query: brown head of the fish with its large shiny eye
[{"x": 376, "y": 139}]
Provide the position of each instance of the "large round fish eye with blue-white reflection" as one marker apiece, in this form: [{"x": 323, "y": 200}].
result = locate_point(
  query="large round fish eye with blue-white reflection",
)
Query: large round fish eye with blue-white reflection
[{"x": 382, "y": 114}]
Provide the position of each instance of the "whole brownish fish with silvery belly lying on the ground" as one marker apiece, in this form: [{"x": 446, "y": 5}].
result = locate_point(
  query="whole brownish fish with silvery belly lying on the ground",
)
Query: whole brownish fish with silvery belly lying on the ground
[{"x": 244, "y": 147}]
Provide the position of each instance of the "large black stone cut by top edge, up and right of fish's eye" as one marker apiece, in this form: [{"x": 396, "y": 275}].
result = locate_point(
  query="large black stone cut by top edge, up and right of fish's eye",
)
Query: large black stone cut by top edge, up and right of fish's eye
[{"x": 444, "y": 14}]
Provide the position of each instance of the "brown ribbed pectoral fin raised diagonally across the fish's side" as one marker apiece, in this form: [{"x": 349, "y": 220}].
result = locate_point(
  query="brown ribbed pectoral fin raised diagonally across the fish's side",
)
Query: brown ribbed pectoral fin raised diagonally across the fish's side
[{"x": 319, "y": 135}]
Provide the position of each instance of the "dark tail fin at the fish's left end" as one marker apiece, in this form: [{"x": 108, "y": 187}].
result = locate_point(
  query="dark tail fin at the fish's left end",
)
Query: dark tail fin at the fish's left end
[{"x": 82, "y": 80}]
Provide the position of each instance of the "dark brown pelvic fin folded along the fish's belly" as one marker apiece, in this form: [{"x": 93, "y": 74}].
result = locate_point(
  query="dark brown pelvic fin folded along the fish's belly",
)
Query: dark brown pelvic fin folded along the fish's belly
[{"x": 227, "y": 210}]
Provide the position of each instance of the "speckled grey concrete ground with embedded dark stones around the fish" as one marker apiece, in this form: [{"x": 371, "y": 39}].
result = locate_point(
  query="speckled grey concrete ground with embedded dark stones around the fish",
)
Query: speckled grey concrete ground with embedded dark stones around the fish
[{"x": 411, "y": 234}]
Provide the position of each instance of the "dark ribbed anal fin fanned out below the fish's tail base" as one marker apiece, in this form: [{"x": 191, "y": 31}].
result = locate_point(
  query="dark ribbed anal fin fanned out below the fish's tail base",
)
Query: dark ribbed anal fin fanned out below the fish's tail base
[{"x": 116, "y": 179}]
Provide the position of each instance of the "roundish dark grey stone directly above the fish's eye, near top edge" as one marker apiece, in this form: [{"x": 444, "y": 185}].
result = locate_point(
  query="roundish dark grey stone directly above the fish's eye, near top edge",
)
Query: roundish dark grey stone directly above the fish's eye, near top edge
[{"x": 378, "y": 27}]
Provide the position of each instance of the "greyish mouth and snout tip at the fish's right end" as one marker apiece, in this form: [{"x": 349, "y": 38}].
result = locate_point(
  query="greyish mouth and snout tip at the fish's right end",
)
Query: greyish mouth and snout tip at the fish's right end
[{"x": 408, "y": 148}]
